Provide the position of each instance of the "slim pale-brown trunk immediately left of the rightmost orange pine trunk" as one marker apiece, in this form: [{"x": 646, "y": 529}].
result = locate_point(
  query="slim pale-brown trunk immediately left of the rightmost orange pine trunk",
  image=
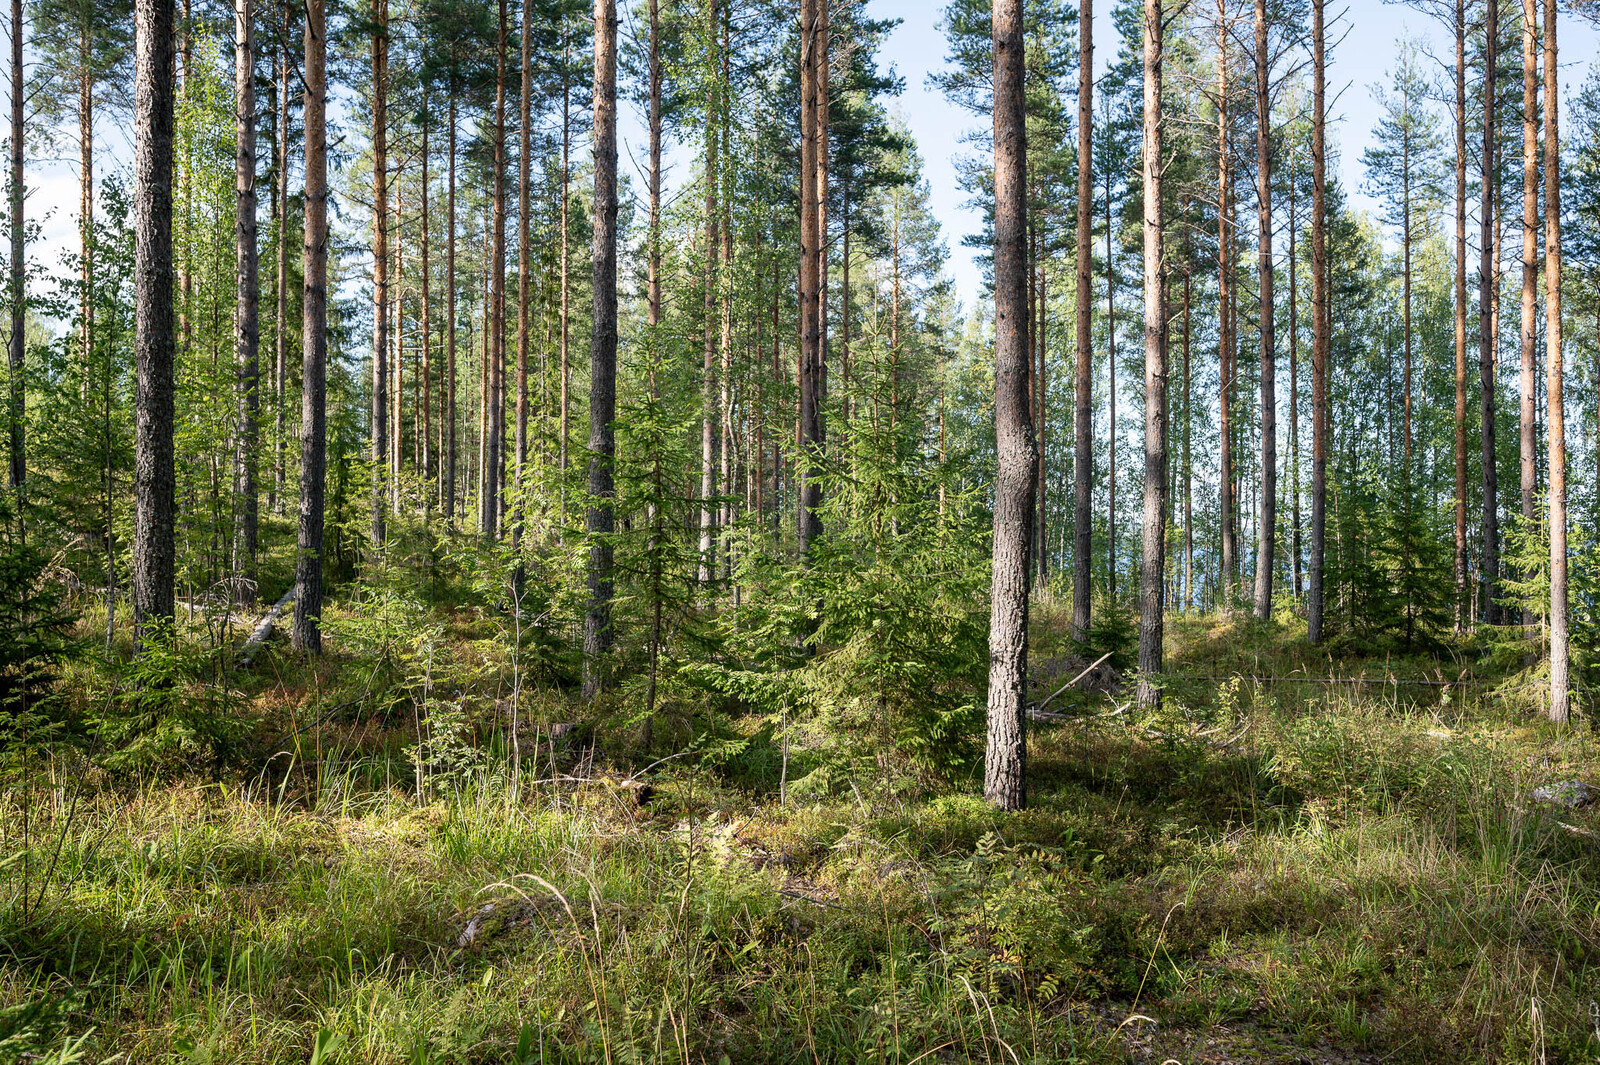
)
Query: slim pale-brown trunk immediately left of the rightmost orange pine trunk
[{"x": 1530, "y": 258}]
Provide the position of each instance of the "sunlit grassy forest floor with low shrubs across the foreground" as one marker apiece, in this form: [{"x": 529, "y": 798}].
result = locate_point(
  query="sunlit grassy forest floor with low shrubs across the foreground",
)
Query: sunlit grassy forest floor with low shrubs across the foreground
[{"x": 1271, "y": 869}]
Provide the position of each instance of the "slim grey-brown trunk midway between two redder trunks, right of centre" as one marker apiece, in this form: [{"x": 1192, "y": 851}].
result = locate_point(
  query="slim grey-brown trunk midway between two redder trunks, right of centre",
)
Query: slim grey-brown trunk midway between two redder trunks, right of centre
[{"x": 1266, "y": 525}]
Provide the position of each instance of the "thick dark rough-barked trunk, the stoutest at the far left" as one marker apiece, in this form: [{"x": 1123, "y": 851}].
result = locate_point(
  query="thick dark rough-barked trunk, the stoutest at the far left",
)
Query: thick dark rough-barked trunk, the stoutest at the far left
[{"x": 154, "y": 481}]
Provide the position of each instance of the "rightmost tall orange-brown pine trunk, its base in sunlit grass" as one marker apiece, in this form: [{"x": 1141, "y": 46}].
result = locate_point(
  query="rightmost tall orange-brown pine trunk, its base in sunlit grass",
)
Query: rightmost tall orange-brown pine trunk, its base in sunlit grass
[{"x": 1561, "y": 693}]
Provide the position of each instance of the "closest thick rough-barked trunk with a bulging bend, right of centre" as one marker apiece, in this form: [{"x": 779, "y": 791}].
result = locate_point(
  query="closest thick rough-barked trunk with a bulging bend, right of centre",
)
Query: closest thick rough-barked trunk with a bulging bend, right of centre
[{"x": 1007, "y": 746}]
